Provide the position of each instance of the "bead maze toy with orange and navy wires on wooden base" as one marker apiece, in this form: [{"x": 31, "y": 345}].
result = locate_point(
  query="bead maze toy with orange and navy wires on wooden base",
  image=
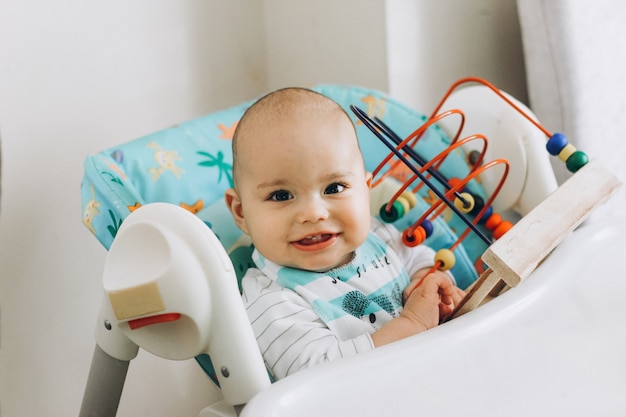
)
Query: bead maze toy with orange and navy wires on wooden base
[{"x": 514, "y": 255}]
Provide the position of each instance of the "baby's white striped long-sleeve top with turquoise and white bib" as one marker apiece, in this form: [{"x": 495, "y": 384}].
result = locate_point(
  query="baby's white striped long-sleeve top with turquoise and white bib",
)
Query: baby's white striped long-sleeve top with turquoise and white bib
[{"x": 302, "y": 318}]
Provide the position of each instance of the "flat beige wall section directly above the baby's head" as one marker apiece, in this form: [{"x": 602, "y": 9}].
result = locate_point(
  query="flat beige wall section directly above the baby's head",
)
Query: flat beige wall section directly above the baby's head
[{"x": 326, "y": 41}]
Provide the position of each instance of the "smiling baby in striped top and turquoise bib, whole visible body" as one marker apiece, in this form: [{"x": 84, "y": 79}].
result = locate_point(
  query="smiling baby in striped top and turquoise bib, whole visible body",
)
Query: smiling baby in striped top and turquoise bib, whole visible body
[{"x": 329, "y": 281}]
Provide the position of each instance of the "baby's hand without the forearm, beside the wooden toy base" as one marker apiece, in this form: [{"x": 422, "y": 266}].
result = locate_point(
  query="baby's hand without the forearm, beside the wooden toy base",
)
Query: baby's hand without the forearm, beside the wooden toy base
[{"x": 430, "y": 297}]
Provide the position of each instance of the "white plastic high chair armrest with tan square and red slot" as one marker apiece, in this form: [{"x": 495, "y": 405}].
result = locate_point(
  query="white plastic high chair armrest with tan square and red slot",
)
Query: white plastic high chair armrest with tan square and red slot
[{"x": 171, "y": 289}]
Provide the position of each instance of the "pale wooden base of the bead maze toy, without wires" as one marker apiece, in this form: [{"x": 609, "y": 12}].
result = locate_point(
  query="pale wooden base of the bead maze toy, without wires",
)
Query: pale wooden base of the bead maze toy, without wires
[{"x": 514, "y": 256}]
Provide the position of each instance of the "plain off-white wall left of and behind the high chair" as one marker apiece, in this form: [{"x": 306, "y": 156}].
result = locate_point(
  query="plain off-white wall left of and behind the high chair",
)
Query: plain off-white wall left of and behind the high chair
[{"x": 75, "y": 78}]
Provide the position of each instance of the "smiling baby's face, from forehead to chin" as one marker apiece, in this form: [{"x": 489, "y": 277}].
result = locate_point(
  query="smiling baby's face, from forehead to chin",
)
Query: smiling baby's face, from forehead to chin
[{"x": 304, "y": 192}]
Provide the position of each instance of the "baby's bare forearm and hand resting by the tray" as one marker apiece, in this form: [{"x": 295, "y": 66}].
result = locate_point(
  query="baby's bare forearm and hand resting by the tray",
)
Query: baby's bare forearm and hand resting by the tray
[{"x": 428, "y": 298}]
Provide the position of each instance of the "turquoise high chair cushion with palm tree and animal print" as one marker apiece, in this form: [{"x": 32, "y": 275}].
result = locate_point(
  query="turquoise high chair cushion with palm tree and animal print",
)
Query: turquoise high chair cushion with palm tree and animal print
[{"x": 191, "y": 165}]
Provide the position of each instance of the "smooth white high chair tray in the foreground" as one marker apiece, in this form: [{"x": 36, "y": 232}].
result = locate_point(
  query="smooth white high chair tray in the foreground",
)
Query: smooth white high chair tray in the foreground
[{"x": 554, "y": 345}]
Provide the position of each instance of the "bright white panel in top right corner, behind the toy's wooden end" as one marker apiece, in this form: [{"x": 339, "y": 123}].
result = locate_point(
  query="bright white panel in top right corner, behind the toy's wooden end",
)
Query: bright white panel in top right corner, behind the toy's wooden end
[{"x": 572, "y": 80}]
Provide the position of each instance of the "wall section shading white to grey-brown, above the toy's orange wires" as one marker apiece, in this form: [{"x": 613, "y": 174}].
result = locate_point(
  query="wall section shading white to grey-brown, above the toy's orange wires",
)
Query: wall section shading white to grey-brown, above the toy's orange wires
[{"x": 431, "y": 44}]
